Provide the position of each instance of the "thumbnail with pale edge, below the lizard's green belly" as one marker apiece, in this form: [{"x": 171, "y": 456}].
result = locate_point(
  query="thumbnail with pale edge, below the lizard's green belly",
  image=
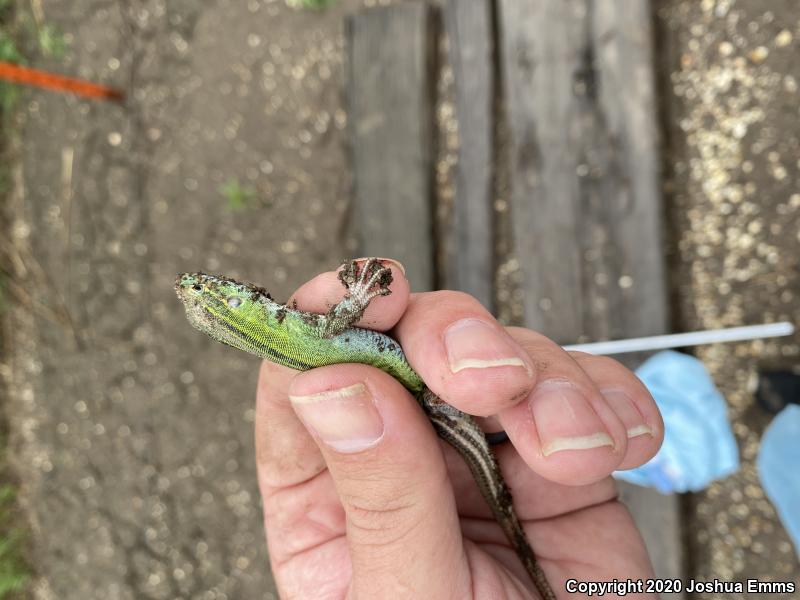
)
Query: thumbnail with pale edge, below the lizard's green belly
[{"x": 346, "y": 419}]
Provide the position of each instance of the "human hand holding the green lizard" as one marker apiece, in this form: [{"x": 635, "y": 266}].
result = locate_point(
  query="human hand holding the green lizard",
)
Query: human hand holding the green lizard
[{"x": 372, "y": 504}]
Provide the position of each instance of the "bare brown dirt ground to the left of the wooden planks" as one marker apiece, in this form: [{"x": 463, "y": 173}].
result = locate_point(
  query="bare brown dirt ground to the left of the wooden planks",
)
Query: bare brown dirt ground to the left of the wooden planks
[{"x": 132, "y": 432}]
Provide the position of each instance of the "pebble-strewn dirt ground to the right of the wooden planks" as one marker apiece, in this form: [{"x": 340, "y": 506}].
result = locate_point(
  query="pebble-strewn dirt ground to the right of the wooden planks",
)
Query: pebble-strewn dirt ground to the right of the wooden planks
[{"x": 729, "y": 79}]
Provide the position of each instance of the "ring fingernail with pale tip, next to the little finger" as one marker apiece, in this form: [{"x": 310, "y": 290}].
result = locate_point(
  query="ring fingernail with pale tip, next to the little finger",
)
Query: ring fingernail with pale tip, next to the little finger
[{"x": 565, "y": 420}]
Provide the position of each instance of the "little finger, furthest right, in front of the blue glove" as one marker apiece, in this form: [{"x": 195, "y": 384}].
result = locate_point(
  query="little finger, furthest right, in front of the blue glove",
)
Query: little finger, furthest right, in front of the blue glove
[{"x": 631, "y": 401}]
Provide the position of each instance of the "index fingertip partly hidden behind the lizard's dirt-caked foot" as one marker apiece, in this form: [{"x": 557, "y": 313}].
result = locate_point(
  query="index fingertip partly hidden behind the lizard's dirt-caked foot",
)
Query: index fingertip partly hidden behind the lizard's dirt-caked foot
[{"x": 325, "y": 290}]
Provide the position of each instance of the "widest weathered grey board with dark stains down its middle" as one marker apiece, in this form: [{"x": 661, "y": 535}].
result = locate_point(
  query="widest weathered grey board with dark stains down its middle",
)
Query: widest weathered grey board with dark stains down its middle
[{"x": 585, "y": 197}]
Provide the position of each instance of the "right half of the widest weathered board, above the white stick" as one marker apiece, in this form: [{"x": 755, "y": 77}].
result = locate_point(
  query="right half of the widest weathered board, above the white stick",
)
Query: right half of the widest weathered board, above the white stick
[{"x": 622, "y": 48}]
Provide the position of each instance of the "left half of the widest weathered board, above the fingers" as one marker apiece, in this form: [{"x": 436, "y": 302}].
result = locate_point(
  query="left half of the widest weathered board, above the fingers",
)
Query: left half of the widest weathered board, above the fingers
[{"x": 541, "y": 45}]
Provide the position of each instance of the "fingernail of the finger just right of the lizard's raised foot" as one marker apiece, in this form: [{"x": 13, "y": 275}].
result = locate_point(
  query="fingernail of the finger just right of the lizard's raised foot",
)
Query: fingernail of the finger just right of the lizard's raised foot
[{"x": 474, "y": 344}]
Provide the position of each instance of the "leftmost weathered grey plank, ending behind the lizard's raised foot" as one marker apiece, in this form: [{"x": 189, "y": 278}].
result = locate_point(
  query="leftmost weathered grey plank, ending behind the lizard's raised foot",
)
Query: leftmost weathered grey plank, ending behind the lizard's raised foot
[{"x": 390, "y": 110}]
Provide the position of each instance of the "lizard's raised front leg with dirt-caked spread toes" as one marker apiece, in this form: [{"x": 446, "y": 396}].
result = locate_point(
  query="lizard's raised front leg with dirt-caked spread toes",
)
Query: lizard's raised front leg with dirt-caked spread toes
[{"x": 363, "y": 284}]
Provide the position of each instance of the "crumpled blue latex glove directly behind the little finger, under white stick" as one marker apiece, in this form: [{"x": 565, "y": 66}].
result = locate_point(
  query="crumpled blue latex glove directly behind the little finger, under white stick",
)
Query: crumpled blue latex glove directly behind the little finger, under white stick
[{"x": 699, "y": 446}]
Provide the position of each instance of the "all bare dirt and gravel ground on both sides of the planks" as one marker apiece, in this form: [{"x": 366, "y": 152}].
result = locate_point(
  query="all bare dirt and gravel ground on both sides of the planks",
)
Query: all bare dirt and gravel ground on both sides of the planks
[{"x": 133, "y": 434}]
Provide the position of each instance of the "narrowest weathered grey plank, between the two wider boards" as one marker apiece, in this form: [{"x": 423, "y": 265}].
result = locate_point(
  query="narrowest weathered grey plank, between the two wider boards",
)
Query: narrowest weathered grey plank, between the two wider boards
[{"x": 470, "y": 252}]
